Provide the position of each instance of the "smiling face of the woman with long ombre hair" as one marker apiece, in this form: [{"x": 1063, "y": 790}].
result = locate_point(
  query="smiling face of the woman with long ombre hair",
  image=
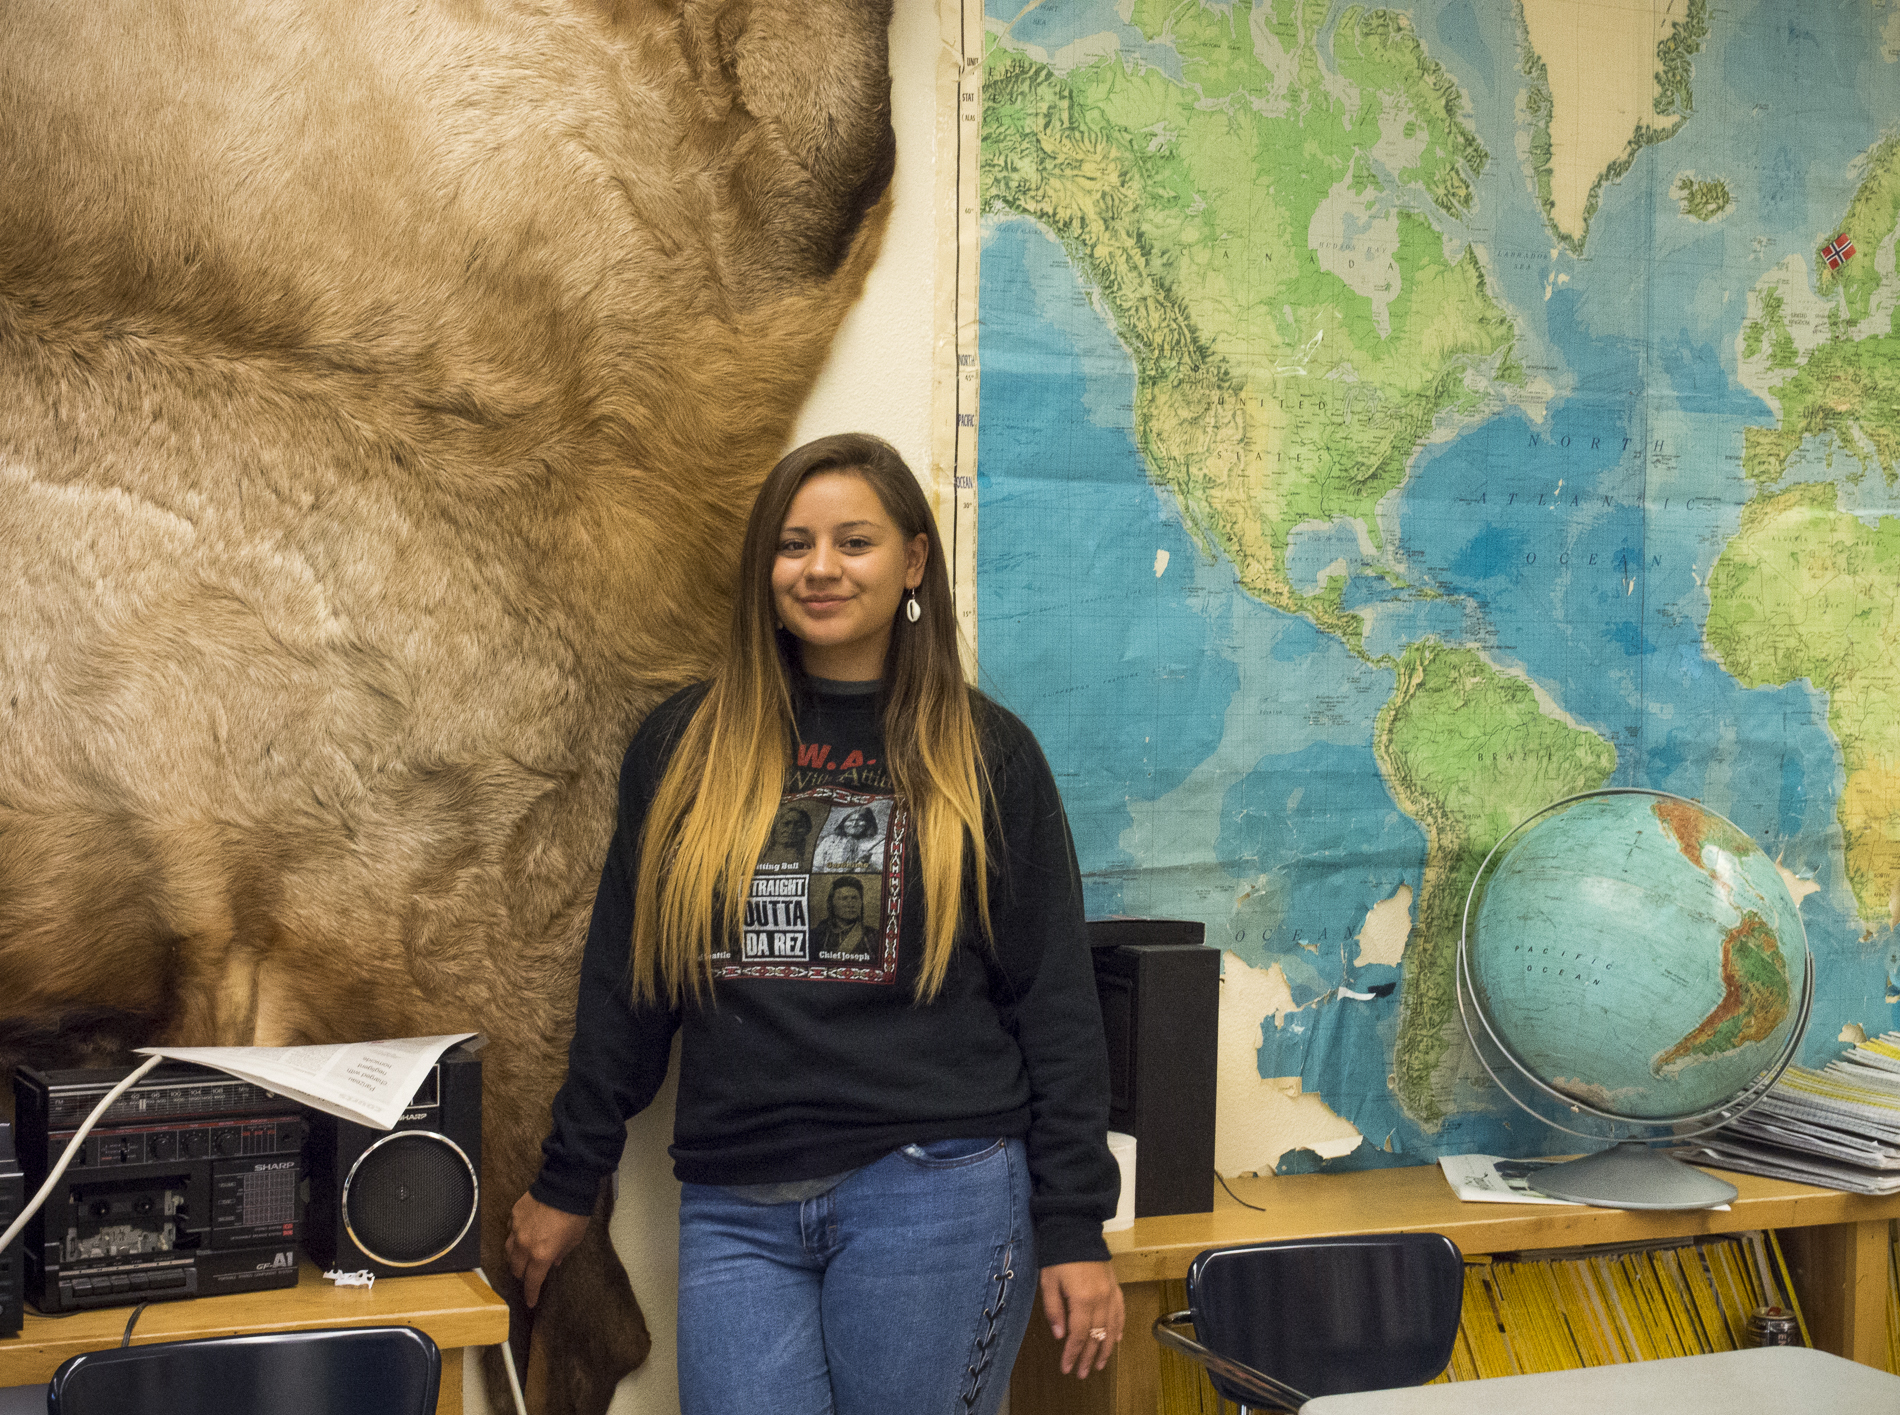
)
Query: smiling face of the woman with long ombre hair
[{"x": 841, "y": 573}]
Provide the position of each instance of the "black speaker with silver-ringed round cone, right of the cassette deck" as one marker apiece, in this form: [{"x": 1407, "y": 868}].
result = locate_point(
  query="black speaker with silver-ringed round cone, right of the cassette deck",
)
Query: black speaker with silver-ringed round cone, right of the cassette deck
[{"x": 409, "y": 1199}]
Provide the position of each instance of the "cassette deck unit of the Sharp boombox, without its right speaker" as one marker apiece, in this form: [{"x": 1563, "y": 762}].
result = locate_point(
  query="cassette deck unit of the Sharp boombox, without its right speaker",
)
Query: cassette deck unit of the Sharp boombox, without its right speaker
[{"x": 189, "y": 1186}]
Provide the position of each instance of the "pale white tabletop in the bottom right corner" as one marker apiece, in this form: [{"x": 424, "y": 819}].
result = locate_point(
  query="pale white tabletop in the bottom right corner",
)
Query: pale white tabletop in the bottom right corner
[{"x": 1766, "y": 1382}]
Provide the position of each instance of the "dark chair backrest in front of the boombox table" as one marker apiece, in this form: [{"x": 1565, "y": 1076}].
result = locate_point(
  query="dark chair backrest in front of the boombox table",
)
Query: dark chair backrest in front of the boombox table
[{"x": 368, "y": 1370}]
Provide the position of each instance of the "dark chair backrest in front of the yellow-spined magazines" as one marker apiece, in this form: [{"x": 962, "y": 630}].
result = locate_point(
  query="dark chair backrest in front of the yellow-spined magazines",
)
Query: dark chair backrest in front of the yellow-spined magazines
[{"x": 1333, "y": 1315}]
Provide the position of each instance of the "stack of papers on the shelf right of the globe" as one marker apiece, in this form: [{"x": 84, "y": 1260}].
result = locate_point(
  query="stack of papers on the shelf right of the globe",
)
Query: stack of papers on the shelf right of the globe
[{"x": 1838, "y": 1127}]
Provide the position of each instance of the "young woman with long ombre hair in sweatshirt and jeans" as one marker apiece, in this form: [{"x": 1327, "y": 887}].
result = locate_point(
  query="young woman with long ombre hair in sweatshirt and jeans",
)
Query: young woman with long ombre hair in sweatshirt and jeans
[{"x": 879, "y": 1144}]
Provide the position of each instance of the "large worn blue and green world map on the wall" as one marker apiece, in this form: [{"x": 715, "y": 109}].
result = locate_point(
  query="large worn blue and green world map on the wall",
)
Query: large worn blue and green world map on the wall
[{"x": 1399, "y": 419}]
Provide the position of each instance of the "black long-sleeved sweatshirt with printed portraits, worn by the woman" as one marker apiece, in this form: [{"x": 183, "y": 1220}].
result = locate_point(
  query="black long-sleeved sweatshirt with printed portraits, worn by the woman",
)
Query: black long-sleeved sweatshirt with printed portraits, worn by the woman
[{"x": 810, "y": 1055}]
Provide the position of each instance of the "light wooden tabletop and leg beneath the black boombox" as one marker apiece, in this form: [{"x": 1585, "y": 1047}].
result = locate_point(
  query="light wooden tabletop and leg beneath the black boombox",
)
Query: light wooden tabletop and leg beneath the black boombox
[{"x": 455, "y": 1310}]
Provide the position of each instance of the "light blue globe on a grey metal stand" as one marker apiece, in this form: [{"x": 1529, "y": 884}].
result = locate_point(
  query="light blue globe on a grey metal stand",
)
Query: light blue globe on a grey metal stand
[{"x": 1633, "y": 970}]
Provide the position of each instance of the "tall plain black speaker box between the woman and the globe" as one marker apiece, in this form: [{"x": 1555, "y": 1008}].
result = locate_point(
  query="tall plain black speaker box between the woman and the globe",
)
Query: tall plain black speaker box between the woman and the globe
[{"x": 1160, "y": 990}]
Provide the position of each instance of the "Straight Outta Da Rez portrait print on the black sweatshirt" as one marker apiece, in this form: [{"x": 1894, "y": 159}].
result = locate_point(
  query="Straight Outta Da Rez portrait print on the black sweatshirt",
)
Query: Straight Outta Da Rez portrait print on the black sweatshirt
[{"x": 827, "y": 896}]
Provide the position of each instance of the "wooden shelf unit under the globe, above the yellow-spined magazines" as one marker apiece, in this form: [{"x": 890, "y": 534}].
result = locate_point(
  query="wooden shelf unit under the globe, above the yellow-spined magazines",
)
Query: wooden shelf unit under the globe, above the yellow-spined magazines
[{"x": 1836, "y": 1247}]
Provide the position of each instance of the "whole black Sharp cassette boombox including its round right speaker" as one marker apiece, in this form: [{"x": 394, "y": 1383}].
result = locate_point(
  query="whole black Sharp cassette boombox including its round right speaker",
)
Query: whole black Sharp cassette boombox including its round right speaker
[{"x": 197, "y": 1182}]
